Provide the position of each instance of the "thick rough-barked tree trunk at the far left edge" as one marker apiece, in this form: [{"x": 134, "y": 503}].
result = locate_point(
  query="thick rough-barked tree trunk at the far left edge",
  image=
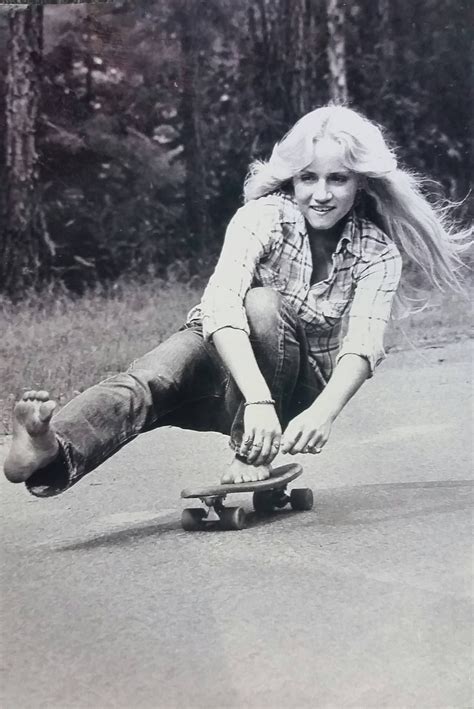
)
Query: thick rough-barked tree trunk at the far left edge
[{"x": 25, "y": 243}]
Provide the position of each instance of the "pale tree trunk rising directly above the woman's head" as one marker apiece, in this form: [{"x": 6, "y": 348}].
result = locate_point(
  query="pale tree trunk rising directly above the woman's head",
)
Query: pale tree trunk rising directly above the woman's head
[{"x": 336, "y": 52}]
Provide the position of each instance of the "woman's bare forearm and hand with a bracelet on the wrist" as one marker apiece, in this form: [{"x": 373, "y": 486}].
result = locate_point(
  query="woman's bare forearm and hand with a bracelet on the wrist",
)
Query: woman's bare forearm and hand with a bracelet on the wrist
[{"x": 261, "y": 424}]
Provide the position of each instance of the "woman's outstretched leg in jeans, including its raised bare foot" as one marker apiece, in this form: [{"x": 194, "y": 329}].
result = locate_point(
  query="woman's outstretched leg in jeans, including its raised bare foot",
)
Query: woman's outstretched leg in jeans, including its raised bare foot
[{"x": 168, "y": 385}]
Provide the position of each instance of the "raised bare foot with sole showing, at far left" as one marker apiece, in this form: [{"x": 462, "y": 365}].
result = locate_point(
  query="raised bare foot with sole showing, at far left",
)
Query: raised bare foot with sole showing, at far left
[{"x": 34, "y": 443}]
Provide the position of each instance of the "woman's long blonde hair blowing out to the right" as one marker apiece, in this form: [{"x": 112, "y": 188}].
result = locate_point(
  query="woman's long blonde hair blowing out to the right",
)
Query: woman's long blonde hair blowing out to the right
[{"x": 422, "y": 229}]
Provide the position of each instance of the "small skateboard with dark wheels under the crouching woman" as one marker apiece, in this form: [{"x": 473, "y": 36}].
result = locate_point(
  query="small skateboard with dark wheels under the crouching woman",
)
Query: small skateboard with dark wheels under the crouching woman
[{"x": 267, "y": 496}]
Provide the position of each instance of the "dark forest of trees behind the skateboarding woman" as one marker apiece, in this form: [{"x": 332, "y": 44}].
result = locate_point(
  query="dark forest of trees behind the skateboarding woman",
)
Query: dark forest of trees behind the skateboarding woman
[{"x": 127, "y": 128}]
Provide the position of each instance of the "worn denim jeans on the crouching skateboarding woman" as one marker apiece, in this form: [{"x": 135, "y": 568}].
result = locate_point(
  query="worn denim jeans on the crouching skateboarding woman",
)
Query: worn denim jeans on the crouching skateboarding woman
[{"x": 182, "y": 382}]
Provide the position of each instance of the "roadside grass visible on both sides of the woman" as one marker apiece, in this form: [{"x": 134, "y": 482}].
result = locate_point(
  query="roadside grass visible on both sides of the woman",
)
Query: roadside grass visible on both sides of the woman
[{"x": 65, "y": 344}]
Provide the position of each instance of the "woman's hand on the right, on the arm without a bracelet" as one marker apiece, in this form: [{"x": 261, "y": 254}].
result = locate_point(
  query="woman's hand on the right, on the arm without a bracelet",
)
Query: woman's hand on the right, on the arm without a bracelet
[{"x": 308, "y": 432}]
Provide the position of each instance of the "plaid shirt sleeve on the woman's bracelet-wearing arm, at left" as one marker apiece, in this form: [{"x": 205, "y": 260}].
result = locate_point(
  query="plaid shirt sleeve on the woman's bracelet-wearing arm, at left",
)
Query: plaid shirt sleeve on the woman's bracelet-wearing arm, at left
[{"x": 253, "y": 233}]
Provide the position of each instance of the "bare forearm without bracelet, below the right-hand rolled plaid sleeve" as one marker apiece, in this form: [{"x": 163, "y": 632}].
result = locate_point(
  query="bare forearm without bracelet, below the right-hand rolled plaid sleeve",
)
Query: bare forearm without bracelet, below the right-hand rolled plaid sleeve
[{"x": 348, "y": 376}]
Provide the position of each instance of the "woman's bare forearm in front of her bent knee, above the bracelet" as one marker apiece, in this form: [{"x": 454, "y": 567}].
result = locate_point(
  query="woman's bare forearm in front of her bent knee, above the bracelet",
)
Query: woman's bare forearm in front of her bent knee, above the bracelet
[{"x": 236, "y": 352}]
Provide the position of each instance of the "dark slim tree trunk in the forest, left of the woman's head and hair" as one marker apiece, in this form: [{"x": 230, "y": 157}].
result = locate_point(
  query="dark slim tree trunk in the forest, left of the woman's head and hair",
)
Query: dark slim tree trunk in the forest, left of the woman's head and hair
[{"x": 197, "y": 217}]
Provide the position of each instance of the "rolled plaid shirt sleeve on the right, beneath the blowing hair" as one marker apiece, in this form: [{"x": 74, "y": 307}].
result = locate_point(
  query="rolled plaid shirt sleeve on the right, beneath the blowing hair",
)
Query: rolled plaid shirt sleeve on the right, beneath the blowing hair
[{"x": 376, "y": 285}]
